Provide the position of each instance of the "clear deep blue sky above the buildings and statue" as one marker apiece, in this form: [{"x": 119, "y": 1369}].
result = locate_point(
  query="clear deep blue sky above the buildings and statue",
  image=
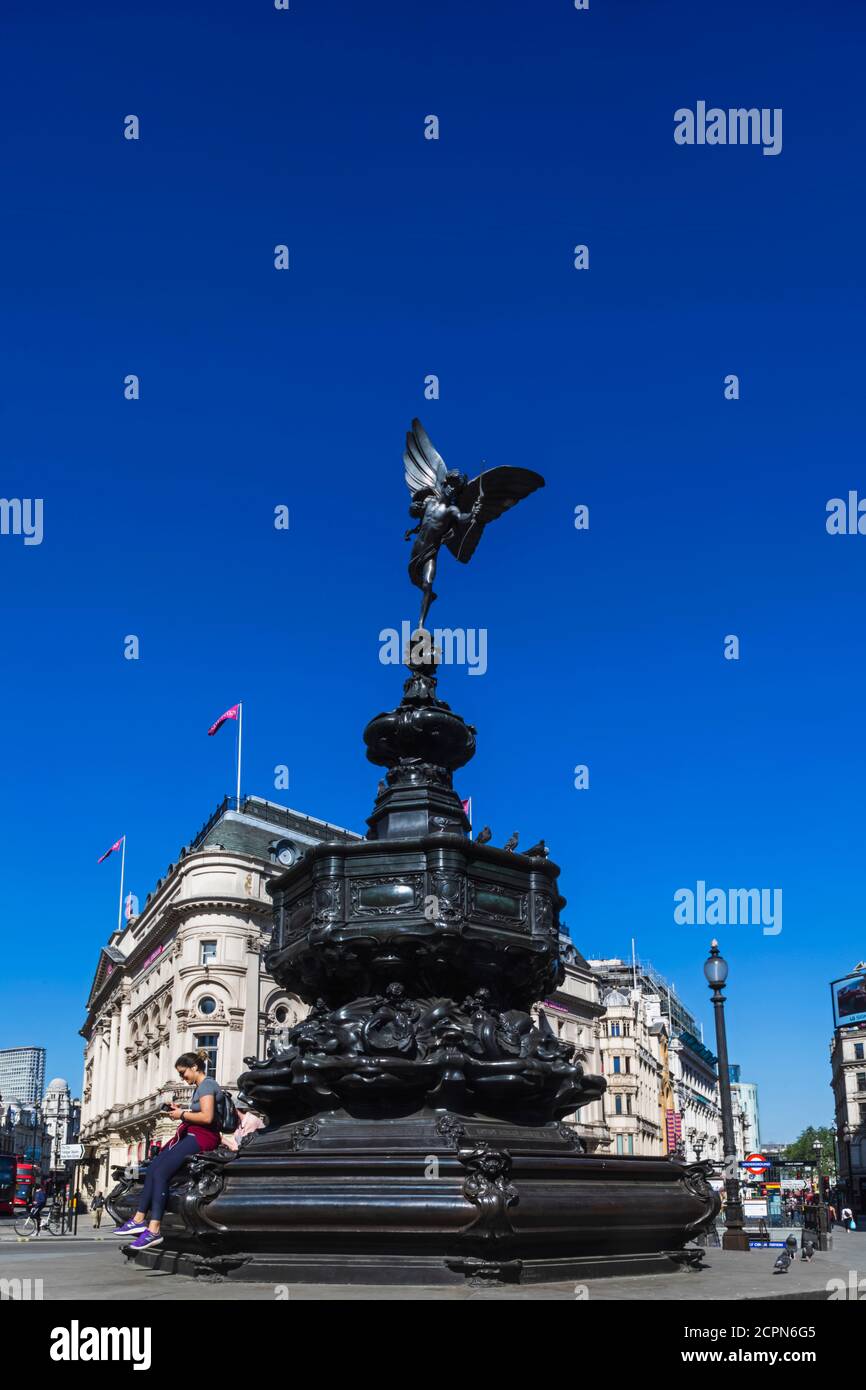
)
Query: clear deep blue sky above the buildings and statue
[{"x": 258, "y": 389}]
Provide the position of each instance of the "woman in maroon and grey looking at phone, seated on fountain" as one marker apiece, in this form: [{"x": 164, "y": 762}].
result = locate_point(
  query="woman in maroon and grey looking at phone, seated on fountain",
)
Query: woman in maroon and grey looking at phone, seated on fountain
[{"x": 198, "y": 1134}]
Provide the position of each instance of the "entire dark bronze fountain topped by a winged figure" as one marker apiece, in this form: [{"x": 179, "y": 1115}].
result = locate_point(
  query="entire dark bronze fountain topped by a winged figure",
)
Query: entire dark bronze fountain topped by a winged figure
[{"x": 416, "y": 1115}]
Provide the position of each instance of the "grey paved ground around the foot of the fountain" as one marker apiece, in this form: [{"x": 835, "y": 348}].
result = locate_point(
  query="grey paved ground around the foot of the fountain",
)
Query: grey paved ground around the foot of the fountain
[{"x": 87, "y": 1268}]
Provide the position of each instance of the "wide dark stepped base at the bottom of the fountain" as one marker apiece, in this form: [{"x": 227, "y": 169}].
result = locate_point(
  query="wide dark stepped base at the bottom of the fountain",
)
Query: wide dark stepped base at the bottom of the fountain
[{"x": 434, "y": 1199}]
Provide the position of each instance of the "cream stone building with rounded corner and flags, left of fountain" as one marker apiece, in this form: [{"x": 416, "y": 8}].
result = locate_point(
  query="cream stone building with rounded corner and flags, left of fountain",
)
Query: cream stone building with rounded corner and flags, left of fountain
[{"x": 188, "y": 974}]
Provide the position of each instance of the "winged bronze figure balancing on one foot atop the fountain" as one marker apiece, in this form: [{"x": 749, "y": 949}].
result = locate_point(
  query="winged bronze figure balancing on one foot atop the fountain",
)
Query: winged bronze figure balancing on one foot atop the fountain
[{"x": 452, "y": 509}]
